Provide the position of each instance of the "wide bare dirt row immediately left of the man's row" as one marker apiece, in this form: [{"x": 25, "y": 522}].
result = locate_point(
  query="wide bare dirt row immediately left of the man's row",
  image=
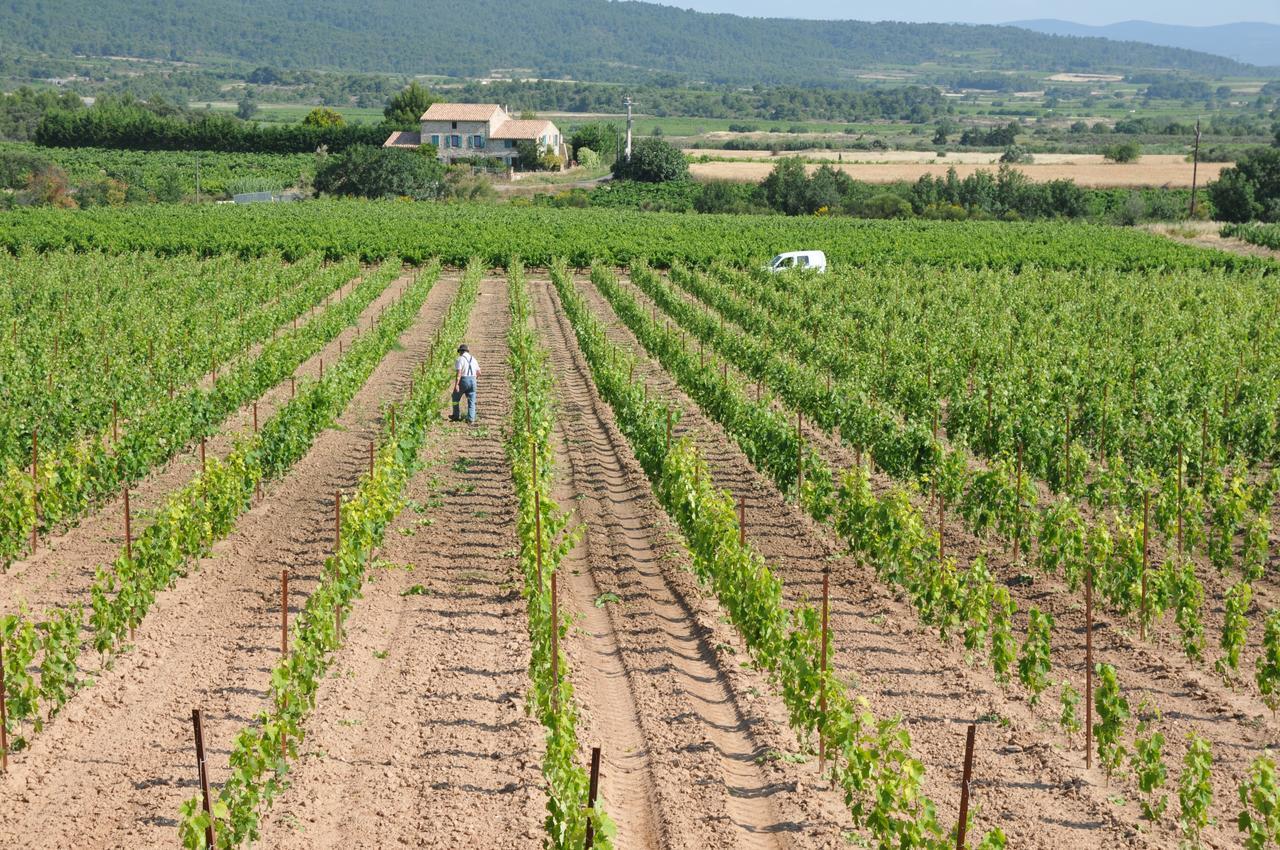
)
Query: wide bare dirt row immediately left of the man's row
[{"x": 115, "y": 767}]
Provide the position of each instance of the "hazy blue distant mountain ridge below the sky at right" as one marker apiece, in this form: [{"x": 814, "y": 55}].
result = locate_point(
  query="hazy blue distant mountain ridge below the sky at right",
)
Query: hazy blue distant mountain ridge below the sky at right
[{"x": 1258, "y": 44}]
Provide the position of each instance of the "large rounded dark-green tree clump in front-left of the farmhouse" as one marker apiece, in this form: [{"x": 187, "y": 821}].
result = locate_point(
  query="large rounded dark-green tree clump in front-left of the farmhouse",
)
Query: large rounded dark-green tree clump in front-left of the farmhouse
[{"x": 365, "y": 171}]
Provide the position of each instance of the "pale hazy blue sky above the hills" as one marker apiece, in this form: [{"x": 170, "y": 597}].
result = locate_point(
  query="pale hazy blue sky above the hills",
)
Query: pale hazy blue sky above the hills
[{"x": 1091, "y": 12}]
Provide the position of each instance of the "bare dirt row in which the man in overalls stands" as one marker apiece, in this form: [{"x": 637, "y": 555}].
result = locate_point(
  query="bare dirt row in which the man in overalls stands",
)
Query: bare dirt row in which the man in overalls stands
[{"x": 420, "y": 737}]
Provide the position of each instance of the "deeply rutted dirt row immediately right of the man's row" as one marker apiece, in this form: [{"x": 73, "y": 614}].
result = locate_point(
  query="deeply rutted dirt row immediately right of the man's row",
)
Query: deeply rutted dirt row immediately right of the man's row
[{"x": 688, "y": 737}]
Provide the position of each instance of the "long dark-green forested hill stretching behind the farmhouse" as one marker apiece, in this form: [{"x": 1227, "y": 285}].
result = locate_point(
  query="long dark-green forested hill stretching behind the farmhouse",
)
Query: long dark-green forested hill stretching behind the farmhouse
[{"x": 582, "y": 39}]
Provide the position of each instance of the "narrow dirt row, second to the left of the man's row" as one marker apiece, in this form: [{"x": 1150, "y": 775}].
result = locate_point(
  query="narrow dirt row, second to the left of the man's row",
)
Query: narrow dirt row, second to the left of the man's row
[{"x": 62, "y": 570}]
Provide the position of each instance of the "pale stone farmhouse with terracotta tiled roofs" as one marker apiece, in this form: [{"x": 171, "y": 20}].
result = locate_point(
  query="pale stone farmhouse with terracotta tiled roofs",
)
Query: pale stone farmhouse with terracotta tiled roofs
[{"x": 461, "y": 131}]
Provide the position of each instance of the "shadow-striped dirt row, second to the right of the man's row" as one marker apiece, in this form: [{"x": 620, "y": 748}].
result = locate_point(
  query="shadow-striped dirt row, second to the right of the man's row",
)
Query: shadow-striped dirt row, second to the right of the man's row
[{"x": 1028, "y": 780}]
